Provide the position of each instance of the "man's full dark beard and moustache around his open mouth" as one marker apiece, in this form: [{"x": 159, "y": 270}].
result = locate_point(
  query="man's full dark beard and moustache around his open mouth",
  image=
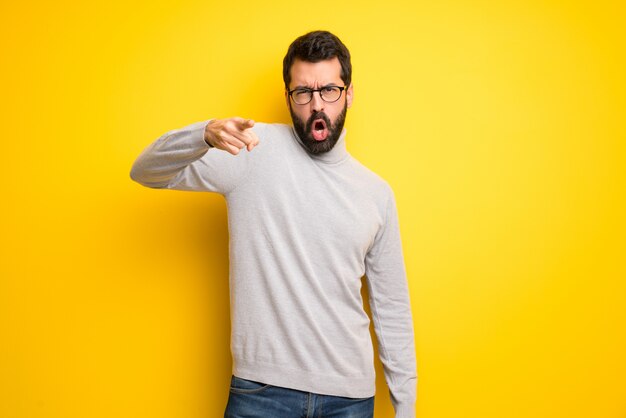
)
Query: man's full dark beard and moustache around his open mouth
[{"x": 304, "y": 130}]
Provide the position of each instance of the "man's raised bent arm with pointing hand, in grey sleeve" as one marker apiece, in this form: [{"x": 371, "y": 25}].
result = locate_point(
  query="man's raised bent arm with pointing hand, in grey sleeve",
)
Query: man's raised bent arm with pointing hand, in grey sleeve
[{"x": 204, "y": 156}]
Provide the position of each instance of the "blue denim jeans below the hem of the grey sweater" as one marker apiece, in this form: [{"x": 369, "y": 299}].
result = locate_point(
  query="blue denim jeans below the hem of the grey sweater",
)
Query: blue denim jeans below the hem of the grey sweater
[{"x": 248, "y": 399}]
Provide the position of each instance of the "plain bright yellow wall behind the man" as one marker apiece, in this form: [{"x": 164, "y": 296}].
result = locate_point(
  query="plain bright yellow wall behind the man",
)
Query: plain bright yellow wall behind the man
[{"x": 500, "y": 126}]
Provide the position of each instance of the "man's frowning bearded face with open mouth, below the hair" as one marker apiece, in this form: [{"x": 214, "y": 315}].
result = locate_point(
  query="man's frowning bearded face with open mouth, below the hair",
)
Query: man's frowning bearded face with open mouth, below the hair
[{"x": 318, "y": 123}]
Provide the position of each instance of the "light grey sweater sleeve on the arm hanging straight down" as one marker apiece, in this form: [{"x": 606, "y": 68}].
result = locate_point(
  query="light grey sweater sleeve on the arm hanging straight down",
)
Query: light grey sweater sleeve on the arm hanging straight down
[{"x": 391, "y": 313}]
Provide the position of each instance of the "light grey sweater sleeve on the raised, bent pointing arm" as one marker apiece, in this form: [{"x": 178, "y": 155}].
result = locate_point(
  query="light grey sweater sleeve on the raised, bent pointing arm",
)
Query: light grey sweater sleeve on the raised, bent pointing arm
[{"x": 181, "y": 159}]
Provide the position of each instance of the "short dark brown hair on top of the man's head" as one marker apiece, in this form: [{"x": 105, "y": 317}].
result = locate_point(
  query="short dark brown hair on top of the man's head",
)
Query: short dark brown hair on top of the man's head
[{"x": 317, "y": 46}]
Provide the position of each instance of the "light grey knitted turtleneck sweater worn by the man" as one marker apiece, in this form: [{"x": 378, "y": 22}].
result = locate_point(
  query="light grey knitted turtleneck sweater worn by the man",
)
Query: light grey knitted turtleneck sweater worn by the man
[{"x": 304, "y": 229}]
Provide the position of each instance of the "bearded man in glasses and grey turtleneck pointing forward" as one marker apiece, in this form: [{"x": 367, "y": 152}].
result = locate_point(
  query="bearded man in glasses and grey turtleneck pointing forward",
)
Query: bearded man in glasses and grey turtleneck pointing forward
[{"x": 306, "y": 222}]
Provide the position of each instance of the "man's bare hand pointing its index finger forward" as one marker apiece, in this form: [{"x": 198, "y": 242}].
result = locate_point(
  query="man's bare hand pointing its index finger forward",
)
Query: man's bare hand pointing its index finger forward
[{"x": 232, "y": 134}]
